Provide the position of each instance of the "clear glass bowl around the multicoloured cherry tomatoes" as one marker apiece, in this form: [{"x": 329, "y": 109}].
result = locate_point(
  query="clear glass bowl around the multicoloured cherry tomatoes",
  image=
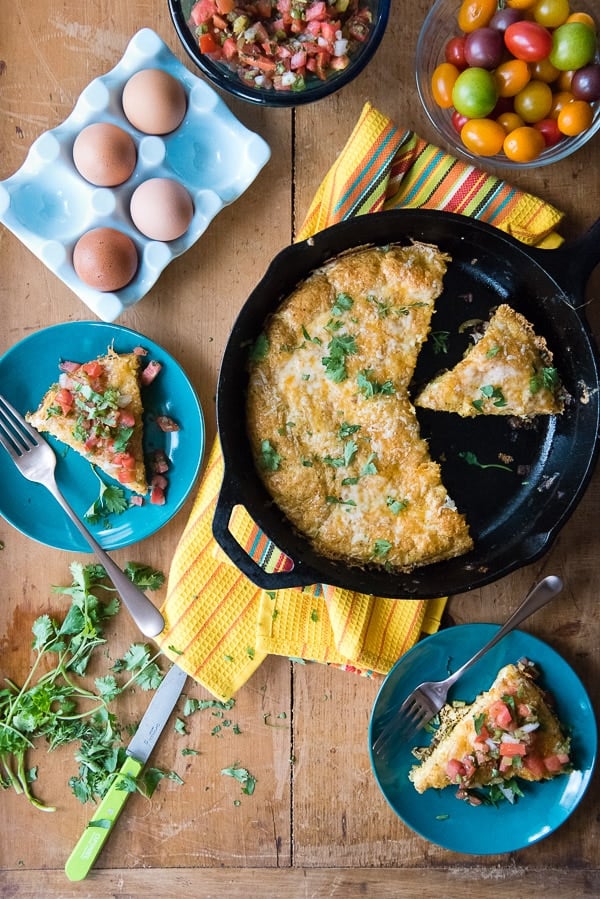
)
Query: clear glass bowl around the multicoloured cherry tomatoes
[{"x": 439, "y": 26}]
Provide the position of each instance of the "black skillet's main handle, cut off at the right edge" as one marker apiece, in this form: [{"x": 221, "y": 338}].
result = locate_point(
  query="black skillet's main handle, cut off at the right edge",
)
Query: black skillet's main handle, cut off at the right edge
[{"x": 572, "y": 264}]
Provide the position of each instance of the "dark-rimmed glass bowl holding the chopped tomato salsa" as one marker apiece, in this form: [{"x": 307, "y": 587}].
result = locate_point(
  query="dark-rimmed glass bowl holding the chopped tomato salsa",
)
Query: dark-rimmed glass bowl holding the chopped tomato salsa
[{"x": 227, "y": 75}]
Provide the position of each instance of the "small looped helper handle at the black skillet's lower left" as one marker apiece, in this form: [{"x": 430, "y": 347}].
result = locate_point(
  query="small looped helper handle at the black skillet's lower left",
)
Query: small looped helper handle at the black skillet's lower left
[{"x": 297, "y": 576}]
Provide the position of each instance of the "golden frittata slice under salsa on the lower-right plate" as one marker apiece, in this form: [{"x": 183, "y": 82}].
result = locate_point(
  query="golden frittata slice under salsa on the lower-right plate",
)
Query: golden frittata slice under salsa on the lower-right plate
[{"x": 459, "y": 742}]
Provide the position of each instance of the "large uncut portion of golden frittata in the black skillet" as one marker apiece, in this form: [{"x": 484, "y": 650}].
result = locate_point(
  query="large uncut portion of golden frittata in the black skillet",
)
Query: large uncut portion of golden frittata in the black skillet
[{"x": 334, "y": 435}]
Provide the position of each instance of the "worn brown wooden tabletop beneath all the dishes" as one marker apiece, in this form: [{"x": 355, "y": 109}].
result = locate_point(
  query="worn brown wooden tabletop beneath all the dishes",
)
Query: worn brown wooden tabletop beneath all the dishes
[{"x": 317, "y": 826}]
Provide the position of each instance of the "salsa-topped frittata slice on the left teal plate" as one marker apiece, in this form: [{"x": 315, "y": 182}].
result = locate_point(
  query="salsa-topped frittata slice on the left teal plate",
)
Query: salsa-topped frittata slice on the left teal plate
[{"x": 96, "y": 409}]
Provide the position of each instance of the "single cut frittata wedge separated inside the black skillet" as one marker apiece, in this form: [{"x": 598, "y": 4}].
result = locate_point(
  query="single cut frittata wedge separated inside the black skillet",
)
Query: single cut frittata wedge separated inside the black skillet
[{"x": 508, "y": 371}]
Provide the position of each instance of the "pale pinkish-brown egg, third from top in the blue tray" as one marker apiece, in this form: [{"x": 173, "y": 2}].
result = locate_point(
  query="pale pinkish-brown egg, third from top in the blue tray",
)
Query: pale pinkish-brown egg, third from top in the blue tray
[{"x": 161, "y": 208}]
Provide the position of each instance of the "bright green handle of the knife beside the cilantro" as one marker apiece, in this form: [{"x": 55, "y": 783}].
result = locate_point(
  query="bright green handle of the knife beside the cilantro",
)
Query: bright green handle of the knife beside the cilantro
[{"x": 93, "y": 838}]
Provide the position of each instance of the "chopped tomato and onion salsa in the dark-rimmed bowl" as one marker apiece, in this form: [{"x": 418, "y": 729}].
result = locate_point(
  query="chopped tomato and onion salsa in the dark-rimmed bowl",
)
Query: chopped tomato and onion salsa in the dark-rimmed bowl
[{"x": 281, "y": 44}]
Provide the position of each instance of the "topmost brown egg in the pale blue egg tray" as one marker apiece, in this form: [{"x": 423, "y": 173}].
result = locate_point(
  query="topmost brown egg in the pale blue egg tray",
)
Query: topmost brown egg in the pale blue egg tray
[{"x": 154, "y": 101}]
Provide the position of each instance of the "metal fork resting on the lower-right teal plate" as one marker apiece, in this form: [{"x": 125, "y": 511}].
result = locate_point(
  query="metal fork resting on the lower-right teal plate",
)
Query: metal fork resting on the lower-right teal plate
[{"x": 426, "y": 700}]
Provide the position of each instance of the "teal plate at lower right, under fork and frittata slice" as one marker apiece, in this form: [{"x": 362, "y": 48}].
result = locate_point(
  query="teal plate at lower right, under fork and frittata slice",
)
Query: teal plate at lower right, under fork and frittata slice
[{"x": 436, "y": 814}]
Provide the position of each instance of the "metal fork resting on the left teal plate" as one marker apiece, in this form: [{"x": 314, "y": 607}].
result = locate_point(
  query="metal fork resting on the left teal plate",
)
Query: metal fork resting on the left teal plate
[{"x": 35, "y": 459}]
